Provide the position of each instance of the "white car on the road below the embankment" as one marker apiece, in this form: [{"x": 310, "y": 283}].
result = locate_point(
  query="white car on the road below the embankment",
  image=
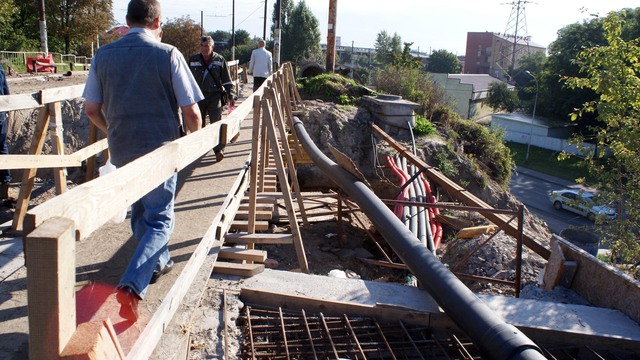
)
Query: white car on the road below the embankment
[{"x": 581, "y": 202}]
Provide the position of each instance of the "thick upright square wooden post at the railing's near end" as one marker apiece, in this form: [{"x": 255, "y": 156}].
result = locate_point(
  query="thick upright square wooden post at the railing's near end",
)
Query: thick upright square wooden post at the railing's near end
[{"x": 51, "y": 259}]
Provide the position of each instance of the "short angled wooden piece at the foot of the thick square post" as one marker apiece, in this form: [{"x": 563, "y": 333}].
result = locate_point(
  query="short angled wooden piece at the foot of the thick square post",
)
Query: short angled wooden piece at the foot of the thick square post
[{"x": 94, "y": 340}]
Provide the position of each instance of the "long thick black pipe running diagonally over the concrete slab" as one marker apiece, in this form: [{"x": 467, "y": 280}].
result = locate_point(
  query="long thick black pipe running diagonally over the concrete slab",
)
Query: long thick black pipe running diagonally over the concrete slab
[{"x": 495, "y": 338}]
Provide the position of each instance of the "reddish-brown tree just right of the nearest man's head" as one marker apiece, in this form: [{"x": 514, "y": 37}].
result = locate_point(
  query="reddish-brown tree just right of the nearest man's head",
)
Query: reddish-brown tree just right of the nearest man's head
[{"x": 183, "y": 33}]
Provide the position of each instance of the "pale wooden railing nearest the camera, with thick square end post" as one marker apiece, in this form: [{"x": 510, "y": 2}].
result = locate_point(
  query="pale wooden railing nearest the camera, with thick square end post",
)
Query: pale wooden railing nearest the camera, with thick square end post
[{"x": 52, "y": 228}]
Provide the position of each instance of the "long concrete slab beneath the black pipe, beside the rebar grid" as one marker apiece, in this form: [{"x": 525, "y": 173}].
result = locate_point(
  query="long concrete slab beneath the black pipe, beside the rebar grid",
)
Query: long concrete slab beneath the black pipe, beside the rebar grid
[{"x": 545, "y": 322}]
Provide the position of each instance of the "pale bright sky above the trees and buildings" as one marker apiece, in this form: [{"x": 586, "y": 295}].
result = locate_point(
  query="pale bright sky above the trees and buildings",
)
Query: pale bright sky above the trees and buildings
[{"x": 429, "y": 25}]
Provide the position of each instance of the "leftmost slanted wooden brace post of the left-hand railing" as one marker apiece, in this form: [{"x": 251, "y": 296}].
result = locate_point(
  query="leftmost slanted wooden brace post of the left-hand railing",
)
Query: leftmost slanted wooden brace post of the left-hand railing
[{"x": 29, "y": 176}]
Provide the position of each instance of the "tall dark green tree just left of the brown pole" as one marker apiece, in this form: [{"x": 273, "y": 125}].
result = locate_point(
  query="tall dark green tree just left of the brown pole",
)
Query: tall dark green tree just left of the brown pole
[{"x": 300, "y": 33}]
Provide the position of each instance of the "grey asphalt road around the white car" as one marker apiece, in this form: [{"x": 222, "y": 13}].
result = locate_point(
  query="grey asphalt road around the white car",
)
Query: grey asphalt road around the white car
[{"x": 533, "y": 188}]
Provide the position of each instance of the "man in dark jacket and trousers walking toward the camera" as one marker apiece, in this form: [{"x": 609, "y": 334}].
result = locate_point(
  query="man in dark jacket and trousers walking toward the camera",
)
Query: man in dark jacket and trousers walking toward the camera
[{"x": 212, "y": 75}]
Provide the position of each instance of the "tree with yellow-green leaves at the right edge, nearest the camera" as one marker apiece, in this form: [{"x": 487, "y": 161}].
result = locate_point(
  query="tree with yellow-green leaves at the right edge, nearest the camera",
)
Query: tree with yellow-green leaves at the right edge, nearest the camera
[{"x": 613, "y": 72}]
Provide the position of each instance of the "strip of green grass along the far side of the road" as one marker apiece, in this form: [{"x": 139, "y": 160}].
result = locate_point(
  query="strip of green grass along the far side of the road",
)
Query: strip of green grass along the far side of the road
[{"x": 546, "y": 162}]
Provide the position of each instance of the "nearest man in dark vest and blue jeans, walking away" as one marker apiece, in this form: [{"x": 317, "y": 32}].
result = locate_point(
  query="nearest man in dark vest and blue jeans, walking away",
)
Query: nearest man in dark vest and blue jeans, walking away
[{"x": 139, "y": 112}]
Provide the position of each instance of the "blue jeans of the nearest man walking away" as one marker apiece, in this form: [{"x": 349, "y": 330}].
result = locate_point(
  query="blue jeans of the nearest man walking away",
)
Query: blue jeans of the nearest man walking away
[{"x": 152, "y": 222}]
